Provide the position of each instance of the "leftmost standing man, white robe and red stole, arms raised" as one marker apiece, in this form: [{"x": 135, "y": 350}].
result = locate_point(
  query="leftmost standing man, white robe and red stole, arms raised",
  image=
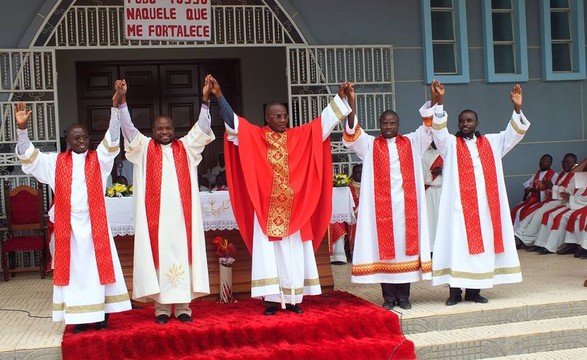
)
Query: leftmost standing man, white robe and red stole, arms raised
[{"x": 88, "y": 283}]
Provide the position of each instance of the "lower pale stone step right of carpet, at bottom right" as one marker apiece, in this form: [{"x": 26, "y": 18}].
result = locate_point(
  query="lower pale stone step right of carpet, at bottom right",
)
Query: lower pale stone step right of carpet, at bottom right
[{"x": 503, "y": 339}]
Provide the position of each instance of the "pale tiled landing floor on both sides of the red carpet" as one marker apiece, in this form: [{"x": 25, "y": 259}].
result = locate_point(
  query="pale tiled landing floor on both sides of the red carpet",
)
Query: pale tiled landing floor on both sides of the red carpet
[{"x": 547, "y": 279}]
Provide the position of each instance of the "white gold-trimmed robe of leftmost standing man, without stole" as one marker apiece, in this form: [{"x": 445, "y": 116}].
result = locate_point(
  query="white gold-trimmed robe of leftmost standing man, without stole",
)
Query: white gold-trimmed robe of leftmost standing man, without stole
[{"x": 84, "y": 300}]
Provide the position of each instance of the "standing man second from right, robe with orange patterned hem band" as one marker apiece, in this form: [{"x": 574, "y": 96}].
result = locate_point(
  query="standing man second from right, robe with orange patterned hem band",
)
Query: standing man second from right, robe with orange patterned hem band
[{"x": 391, "y": 241}]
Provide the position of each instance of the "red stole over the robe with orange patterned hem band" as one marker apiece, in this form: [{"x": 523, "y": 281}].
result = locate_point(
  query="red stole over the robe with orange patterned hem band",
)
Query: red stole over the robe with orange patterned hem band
[{"x": 383, "y": 201}]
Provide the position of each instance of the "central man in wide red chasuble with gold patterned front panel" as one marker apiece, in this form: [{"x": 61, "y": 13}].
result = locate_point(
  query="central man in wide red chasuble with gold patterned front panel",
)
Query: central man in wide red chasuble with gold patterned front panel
[{"x": 280, "y": 185}]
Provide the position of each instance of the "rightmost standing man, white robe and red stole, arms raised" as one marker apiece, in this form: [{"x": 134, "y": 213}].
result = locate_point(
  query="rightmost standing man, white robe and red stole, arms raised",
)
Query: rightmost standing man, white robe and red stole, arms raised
[{"x": 475, "y": 246}]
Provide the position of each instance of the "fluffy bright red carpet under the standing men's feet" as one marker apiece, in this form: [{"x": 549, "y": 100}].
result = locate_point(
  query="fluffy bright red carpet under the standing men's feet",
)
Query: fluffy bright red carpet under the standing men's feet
[{"x": 336, "y": 325}]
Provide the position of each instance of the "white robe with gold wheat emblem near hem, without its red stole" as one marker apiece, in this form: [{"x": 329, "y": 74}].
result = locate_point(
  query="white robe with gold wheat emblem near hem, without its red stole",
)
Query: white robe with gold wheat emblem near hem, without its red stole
[{"x": 175, "y": 281}]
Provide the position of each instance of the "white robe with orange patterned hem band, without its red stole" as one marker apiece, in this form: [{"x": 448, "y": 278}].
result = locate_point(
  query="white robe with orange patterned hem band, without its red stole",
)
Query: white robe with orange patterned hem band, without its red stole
[{"x": 367, "y": 265}]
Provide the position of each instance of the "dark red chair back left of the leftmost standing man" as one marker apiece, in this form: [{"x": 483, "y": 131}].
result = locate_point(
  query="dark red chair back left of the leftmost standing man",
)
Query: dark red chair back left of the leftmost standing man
[{"x": 24, "y": 208}]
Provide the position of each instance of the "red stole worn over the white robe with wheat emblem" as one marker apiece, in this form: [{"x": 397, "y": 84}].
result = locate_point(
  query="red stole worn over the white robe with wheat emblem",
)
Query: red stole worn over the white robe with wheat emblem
[{"x": 153, "y": 192}]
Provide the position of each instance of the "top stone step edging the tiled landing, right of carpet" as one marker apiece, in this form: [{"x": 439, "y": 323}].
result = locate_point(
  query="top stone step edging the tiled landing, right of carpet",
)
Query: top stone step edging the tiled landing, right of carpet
[{"x": 475, "y": 315}]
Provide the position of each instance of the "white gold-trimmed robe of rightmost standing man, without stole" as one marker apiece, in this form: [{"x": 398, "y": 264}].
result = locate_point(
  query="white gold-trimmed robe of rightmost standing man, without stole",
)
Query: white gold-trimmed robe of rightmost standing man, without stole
[{"x": 452, "y": 263}]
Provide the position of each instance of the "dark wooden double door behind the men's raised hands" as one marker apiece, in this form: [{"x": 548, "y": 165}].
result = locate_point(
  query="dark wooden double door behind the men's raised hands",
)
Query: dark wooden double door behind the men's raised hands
[{"x": 172, "y": 88}]
